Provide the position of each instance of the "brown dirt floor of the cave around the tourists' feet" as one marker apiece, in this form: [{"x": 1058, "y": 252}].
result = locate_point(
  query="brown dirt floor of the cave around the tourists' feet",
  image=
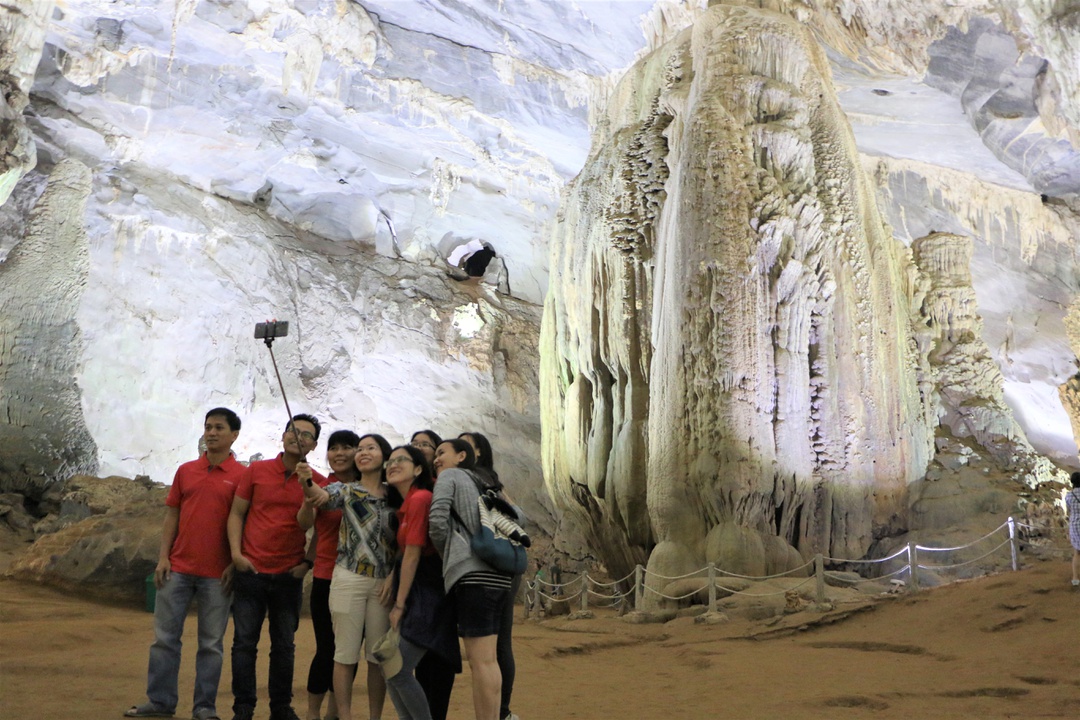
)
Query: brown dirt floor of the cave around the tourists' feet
[{"x": 1001, "y": 647}]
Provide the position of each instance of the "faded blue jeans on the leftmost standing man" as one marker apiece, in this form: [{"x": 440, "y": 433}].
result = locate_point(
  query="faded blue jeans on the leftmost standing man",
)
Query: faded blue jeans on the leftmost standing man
[{"x": 170, "y": 610}]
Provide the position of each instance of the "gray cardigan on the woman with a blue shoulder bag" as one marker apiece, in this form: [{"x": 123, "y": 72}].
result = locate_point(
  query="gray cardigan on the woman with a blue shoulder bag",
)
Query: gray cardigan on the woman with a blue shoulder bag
[{"x": 455, "y": 487}]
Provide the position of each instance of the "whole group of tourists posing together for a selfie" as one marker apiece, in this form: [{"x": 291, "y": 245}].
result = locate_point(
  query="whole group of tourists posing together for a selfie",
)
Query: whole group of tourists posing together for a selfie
[{"x": 394, "y": 576}]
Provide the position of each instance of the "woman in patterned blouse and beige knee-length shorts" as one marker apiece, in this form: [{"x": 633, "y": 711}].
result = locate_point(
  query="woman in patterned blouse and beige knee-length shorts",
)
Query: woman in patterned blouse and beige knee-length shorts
[{"x": 366, "y": 550}]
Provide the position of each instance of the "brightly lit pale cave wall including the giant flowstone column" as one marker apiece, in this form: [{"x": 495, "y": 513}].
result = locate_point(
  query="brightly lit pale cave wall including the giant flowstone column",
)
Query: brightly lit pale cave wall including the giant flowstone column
[{"x": 732, "y": 265}]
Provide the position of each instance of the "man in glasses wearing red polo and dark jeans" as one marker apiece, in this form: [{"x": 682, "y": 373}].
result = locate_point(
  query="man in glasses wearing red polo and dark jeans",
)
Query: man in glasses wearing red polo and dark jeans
[{"x": 268, "y": 552}]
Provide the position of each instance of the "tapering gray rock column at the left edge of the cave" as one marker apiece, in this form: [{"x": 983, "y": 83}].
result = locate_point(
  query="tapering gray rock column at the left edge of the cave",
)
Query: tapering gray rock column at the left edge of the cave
[{"x": 44, "y": 438}]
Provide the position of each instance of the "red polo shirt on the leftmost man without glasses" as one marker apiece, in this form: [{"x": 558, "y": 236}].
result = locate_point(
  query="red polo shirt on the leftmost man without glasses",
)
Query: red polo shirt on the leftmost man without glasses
[{"x": 204, "y": 495}]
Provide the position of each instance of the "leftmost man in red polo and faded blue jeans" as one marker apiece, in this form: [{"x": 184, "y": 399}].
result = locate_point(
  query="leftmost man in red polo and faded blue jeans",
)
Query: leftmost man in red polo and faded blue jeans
[{"x": 195, "y": 553}]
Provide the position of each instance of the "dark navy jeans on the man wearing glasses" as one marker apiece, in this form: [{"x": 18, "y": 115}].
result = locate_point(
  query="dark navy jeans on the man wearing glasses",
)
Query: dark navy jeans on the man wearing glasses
[{"x": 255, "y": 597}]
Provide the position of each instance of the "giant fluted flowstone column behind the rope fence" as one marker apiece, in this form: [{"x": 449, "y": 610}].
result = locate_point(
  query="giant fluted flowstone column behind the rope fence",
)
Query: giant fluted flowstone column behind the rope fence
[{"x": 724, "y": 222}]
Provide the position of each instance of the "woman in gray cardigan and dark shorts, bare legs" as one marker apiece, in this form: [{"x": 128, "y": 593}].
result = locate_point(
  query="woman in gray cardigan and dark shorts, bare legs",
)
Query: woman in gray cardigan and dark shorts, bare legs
[{"x": 480, "y": 591}]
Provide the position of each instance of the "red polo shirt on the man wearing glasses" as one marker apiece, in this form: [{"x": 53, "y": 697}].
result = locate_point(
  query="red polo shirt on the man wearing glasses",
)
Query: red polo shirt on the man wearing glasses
[{"x": 273, "y": 539}]
